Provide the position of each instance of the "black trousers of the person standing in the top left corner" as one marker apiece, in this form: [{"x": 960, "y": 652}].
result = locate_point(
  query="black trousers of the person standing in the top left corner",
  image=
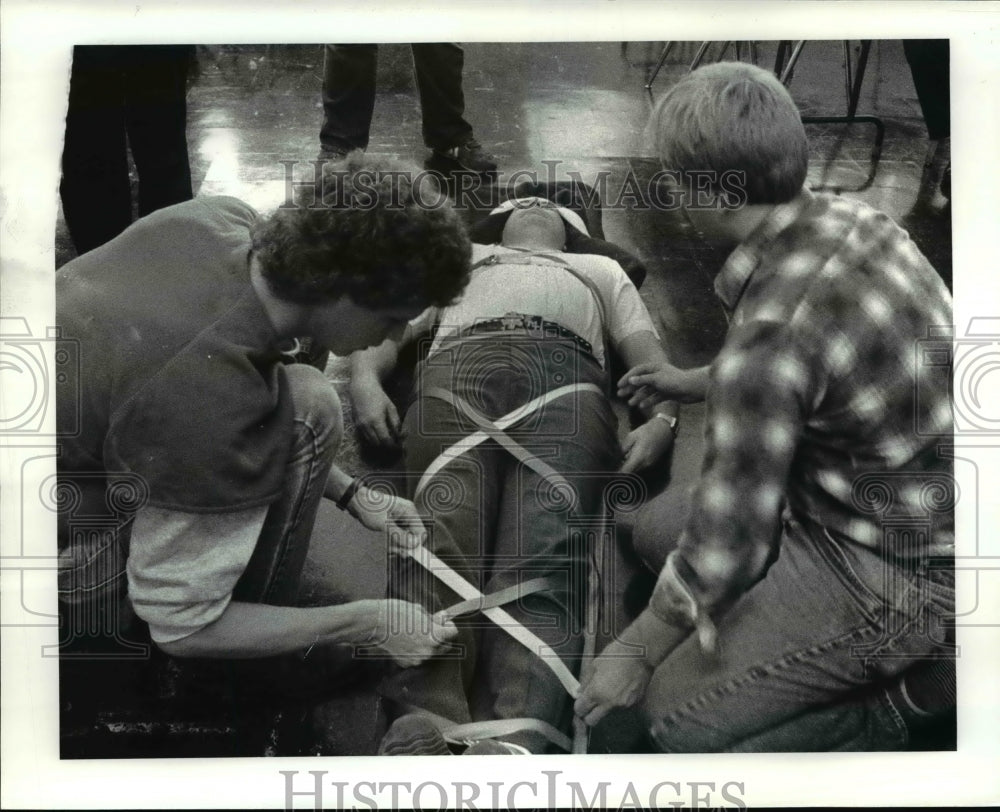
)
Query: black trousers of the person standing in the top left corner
[{"x": 123, "y": 97}]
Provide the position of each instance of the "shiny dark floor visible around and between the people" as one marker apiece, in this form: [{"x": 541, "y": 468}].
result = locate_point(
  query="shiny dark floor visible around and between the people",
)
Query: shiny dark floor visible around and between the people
[{"x": 552, "y": 109}]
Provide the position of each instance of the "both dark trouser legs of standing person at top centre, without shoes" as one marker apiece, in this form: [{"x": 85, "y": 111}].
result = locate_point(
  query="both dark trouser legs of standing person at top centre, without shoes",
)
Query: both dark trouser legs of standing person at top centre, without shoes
[{"x": 349, "y": 94}]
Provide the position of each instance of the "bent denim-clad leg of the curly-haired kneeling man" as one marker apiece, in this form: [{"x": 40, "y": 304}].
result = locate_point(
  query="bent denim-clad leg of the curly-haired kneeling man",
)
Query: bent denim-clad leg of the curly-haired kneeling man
[{"x": 272, "y": 576}]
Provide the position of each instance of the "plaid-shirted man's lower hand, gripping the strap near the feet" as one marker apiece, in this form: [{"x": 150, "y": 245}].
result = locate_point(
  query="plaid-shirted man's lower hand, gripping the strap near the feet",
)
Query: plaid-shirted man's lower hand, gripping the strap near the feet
[{"x": 618, "y": 678}]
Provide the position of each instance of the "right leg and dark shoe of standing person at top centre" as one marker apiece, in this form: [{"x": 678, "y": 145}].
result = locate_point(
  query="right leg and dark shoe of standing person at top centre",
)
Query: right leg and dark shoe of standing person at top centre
[{"x": 438, "y": 67}]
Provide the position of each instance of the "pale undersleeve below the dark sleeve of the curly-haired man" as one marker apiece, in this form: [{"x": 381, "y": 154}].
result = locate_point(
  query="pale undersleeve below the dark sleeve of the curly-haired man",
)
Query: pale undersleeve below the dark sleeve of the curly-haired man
[{"x": 183, "y": 567}]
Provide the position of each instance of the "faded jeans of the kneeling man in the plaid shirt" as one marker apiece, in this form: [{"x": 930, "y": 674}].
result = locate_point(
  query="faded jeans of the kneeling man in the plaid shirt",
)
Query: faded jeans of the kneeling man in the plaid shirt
[{"x": 809, "y": 658}]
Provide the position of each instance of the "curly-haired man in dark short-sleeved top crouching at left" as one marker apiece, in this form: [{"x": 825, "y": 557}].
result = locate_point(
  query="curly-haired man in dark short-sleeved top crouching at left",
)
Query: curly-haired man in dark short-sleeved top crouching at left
[{"x": 196, "y": 454}]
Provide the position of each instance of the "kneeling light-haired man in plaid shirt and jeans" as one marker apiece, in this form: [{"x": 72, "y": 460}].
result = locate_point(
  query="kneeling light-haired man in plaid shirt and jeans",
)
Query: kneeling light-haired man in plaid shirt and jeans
[{"x": 814, "y": 562}]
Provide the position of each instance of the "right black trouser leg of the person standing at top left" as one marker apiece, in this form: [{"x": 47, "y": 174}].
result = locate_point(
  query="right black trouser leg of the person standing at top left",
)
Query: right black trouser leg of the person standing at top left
[{"x": 156, "y": 120}]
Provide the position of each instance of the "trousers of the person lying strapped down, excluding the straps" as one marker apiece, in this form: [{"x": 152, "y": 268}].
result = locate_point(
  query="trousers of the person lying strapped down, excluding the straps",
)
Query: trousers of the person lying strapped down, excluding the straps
[{"x": 499, "y": 523}]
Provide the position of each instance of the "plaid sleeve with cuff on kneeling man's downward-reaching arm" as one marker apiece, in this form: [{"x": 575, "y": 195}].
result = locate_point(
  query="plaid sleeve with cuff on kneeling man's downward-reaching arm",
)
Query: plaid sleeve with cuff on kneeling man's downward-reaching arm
[{"x": 760, "y": 389}]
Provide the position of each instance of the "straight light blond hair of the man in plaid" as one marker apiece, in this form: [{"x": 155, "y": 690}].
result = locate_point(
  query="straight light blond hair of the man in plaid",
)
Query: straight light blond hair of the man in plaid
[{"x": 732, "y": 119}]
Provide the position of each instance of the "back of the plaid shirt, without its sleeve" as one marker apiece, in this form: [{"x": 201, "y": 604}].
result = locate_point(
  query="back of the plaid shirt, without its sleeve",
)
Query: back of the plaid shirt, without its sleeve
[{"x": 842, "y": 294}]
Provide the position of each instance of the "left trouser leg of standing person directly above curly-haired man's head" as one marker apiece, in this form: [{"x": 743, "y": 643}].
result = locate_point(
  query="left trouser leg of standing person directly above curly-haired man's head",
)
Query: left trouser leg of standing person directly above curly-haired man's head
[{"x": 348, "y": 97}]
